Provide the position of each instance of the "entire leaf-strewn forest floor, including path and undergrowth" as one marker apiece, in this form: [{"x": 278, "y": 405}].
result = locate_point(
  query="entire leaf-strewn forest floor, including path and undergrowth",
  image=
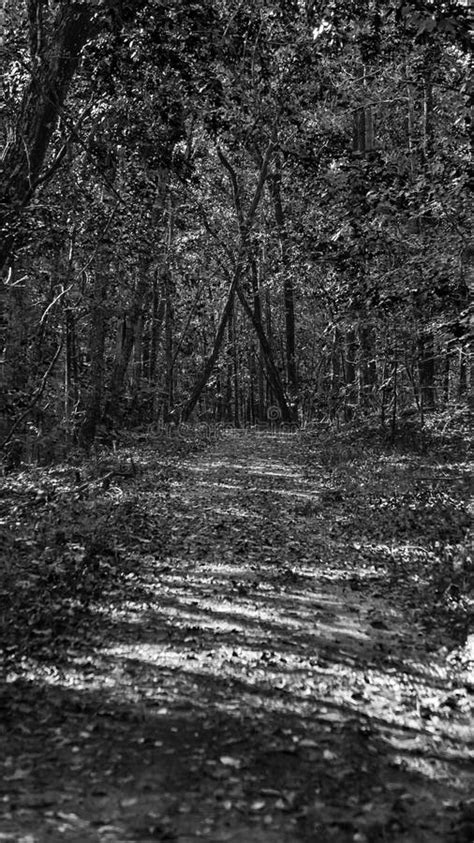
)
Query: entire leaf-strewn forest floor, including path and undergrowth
[{"x": 264, "y": 639}]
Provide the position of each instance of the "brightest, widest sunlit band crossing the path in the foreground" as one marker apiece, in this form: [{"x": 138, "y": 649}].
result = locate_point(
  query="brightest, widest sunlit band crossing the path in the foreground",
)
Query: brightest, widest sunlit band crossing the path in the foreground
[{"x": 285, "y": 682}]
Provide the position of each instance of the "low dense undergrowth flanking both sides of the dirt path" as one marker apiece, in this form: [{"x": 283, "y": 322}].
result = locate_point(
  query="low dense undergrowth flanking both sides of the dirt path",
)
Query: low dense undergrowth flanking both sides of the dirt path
[{"x": 397, "y": 511}]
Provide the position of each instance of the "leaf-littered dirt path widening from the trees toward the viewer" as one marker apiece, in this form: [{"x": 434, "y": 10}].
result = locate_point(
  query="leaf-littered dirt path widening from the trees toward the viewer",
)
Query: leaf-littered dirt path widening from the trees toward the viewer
[{"x": 253, "y": 687}]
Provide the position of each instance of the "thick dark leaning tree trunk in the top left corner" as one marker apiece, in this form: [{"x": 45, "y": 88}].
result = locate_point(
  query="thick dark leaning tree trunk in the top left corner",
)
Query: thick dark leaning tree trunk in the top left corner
[{"x": 55, "y": 42}]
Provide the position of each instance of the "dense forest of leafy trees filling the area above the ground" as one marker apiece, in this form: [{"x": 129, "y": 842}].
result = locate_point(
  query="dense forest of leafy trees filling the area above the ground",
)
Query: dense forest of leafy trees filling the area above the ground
[{"x": 213, "y": 209}]
